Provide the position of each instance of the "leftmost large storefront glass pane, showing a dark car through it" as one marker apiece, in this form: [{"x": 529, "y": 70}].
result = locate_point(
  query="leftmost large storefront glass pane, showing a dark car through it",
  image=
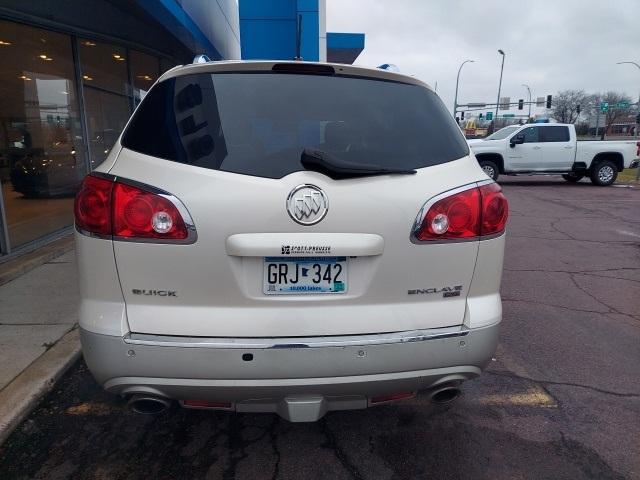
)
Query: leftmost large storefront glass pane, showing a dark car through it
[{"x": 41, "y": 146}]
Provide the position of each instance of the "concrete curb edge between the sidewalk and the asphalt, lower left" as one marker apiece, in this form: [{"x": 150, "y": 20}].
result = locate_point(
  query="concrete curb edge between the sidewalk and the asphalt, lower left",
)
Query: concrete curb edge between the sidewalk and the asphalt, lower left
[{"x": 24, "y": 392}]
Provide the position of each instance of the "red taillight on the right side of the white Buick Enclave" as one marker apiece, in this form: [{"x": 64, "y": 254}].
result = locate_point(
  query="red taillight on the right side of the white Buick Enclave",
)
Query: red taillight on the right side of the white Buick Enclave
[{"x": 474, "y": 212}]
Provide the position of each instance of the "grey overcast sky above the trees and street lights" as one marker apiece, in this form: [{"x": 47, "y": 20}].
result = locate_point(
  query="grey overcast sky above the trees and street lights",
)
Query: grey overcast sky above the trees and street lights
[{"x": 551, "y": 45}]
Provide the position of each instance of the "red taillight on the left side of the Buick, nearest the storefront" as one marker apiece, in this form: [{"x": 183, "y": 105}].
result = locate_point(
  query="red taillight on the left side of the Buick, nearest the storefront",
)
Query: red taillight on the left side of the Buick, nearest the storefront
[{"x": 123, "y": 211}]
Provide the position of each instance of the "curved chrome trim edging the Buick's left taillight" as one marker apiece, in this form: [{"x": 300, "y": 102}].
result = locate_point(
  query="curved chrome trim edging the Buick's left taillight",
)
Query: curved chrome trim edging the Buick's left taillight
[{"x": 192, "y": 234}]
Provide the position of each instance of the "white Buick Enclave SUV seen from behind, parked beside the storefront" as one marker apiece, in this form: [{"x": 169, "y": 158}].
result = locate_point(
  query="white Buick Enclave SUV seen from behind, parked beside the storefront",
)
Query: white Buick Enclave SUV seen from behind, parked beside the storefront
[{"x": 288, "y": 237}]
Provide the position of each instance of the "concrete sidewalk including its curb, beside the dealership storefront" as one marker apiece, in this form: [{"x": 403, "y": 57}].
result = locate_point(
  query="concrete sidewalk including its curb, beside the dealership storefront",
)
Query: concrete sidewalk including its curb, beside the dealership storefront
[{"x": 38, "y": 340}]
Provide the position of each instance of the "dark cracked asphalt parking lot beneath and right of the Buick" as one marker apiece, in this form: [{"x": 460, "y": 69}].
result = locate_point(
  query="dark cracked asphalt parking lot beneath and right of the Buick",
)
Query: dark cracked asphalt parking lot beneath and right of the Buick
[{"x": 561, "y": 400}]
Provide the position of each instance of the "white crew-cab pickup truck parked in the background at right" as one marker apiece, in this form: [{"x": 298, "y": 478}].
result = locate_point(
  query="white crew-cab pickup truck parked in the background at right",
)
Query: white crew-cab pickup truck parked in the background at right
[{"x": 553, "y": 148}]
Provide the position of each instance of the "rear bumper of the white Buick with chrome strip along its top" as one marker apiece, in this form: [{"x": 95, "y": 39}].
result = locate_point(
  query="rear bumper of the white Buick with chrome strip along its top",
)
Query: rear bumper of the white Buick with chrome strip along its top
[{"x": 270, "y": 375}]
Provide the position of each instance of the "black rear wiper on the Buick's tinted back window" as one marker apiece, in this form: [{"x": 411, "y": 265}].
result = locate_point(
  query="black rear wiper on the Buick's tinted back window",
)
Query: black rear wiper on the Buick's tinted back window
[{"x": 323, "y": 162}]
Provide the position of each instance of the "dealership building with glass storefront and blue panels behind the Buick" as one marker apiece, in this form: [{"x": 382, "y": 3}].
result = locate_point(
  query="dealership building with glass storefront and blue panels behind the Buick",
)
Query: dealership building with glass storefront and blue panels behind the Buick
[{"x": 72, "y": 72}]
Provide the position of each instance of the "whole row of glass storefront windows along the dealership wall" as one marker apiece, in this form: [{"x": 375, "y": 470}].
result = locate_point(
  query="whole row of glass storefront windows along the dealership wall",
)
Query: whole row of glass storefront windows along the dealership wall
[{"x": 42, "y": 145}]
